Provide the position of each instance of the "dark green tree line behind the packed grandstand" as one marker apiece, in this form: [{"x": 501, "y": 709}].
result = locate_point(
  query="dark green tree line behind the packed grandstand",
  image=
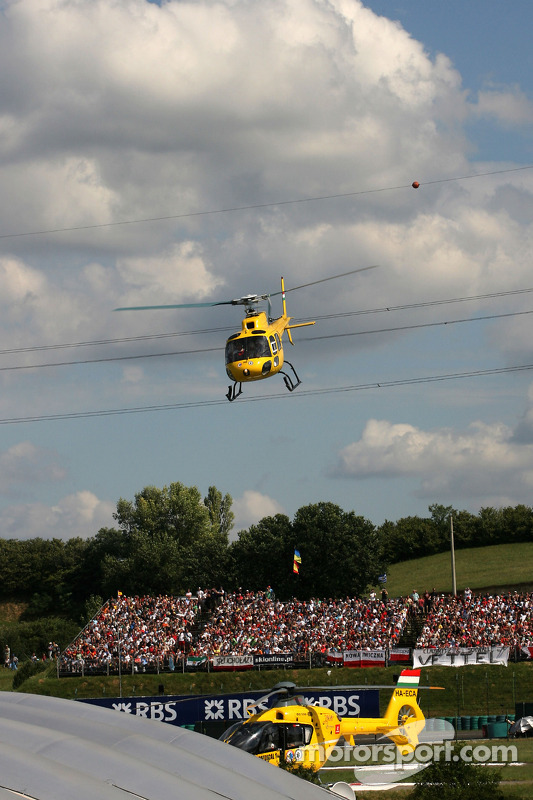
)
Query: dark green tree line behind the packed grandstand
[{"x": 170, "y": 540}]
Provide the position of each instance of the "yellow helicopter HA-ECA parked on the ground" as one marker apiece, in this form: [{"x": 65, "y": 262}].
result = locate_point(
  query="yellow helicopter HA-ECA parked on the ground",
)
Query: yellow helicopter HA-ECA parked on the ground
[{"x": 306, "y": 735}]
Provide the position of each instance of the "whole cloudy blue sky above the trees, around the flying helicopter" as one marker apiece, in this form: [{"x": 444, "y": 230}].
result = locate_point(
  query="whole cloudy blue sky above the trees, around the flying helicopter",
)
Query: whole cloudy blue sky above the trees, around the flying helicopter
[{"x": 153, "y": 115}]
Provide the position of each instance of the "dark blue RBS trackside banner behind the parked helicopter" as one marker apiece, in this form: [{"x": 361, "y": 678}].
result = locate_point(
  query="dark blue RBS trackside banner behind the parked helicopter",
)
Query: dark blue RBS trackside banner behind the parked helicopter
[{"x": 187, "y": 710}]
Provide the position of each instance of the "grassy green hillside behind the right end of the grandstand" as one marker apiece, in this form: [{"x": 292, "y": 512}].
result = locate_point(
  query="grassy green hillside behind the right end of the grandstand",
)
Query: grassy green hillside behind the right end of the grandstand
[{"x": 503, "y": 565}]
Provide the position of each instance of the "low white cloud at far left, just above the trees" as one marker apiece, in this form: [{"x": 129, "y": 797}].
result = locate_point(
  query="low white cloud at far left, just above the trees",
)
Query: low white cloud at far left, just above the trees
[{"x": 80, "y": 514}]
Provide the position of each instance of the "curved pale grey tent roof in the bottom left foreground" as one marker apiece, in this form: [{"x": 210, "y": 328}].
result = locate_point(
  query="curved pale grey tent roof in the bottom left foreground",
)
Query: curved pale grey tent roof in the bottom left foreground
[{"x": 54, "y": 749}]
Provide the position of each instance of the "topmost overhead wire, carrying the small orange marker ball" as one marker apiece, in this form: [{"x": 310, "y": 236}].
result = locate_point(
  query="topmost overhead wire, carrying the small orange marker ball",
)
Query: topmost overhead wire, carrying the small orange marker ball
[{"x": 233, "y": 209}]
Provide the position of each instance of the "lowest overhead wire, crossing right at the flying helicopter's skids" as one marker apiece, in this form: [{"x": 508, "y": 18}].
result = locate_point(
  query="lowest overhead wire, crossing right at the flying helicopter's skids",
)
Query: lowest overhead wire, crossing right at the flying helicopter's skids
[{"x": 286, "y": 395}]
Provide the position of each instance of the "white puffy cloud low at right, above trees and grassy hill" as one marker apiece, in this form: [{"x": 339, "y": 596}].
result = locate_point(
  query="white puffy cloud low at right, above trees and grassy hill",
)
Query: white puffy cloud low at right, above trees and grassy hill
[{"x": 482, "y": 462}]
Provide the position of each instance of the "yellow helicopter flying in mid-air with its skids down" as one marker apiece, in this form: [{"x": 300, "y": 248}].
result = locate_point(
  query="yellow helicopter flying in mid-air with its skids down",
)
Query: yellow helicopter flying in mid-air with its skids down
[{"x": 256, "y": 351}]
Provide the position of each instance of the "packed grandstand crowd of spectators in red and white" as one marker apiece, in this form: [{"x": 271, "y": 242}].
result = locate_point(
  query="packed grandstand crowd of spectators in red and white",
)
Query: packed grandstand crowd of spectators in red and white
[{"x": 167, "y": 633}]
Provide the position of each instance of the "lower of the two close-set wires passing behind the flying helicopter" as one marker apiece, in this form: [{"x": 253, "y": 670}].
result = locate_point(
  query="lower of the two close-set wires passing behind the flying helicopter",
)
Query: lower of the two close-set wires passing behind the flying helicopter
[{"x": 301, "y": 341}]
